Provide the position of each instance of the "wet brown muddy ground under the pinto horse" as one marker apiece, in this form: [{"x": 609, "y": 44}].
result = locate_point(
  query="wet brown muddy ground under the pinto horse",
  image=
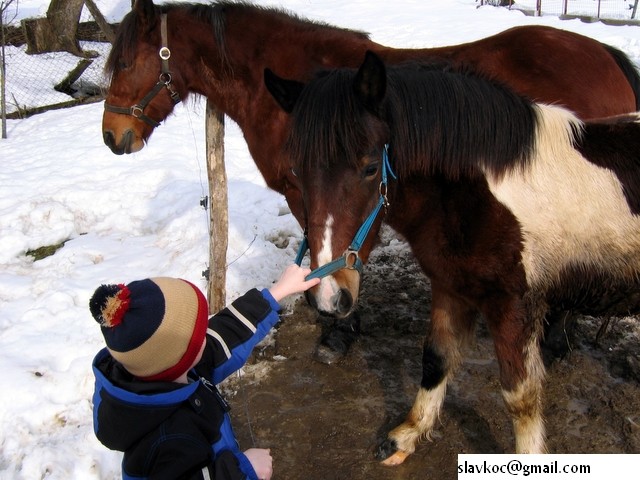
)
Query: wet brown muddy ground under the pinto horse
[{"x": 324, "y": 421}]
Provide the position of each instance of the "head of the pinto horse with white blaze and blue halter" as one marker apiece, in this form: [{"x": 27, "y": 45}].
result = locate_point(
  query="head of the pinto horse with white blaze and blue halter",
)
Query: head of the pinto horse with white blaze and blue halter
[{"x": 337, "y": 147}]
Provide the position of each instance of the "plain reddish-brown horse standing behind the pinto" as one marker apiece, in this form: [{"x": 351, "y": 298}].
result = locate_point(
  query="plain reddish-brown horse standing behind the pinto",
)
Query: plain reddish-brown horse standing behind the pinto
[{"x": 220, "y": 51}]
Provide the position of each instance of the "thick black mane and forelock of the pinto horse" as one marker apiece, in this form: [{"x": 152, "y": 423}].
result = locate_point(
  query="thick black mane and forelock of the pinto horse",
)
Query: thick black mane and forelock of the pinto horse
[{"x": 440, "y": 119}]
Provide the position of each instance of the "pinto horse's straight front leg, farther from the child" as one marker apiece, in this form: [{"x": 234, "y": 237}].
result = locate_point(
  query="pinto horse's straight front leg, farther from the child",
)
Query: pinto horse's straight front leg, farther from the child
[{"x": 515, "y": 330}]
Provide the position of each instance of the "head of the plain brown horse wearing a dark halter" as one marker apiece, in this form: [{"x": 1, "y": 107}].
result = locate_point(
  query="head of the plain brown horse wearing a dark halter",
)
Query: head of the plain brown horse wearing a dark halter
[{"x": 143, "y": 89}]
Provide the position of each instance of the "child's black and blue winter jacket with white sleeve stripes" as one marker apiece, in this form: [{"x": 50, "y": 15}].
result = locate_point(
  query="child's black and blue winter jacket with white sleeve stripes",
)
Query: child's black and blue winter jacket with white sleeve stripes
[{"x": 169, "y": 430}]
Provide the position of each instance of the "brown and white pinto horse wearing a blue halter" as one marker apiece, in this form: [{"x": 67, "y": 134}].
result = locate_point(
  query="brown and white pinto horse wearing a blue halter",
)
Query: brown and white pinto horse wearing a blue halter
[{"x": 511, "y": 208}]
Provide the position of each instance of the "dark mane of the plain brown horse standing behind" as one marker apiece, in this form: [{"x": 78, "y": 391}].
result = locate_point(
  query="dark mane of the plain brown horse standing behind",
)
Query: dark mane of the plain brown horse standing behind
[{"x": 215, "y": 14}]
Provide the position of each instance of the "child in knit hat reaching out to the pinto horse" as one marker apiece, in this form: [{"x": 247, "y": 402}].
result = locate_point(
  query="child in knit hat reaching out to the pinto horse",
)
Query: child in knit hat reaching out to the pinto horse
[{"x": 155, "y": 397}]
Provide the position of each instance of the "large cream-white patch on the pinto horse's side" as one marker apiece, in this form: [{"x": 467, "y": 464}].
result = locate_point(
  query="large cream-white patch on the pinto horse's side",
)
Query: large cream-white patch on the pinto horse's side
[{"x": 572, "y": 212}]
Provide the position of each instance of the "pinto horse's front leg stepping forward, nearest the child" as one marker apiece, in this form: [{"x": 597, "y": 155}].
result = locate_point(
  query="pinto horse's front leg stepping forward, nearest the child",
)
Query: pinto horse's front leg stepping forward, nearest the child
[{"x": 452, "y": 322}]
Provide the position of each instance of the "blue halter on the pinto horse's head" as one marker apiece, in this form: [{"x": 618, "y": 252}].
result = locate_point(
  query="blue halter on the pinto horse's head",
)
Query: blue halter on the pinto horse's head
[{"x": 350, "y": 258}]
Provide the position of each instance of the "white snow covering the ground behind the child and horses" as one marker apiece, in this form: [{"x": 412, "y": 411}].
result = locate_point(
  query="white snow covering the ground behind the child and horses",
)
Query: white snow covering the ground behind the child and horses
[{"x": 130, "y": 217}]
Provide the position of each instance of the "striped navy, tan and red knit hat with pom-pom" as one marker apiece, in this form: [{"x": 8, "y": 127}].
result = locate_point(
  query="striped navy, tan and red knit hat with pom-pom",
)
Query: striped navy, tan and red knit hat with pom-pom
[{"x": 153, "y": 327}]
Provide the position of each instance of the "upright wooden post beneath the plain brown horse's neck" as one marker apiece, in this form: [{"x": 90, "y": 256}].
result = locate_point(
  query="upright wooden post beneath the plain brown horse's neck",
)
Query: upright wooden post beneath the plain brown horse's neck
[{"x": 218, "y": 209}]
